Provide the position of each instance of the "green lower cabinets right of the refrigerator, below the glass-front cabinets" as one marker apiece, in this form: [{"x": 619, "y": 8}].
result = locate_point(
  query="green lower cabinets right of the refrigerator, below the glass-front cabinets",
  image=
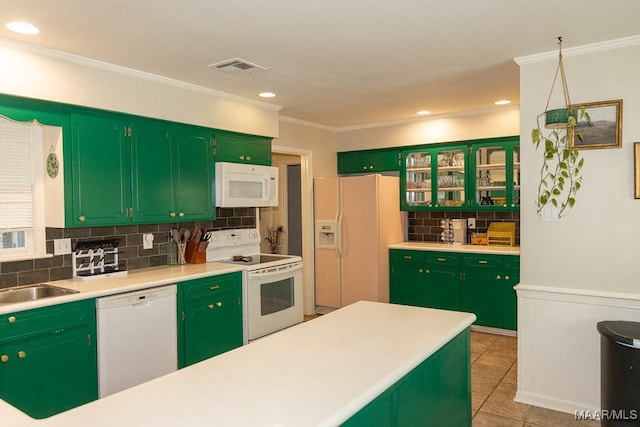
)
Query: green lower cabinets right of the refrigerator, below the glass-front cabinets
[{"x": 479, "y": 284}]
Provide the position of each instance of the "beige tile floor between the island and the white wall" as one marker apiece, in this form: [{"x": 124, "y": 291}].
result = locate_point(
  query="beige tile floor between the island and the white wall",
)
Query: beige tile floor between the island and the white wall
[{"x": 494, "y": 384}]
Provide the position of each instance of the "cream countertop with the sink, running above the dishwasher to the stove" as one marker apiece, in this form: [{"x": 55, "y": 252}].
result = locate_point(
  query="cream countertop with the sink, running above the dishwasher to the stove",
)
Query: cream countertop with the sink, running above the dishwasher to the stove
[{"x": 133, "y": 281}]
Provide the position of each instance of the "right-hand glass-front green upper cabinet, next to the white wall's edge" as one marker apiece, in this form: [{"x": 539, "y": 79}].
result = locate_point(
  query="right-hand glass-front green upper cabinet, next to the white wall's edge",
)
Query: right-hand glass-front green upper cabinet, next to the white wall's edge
[{"x": 496, "y": 175}]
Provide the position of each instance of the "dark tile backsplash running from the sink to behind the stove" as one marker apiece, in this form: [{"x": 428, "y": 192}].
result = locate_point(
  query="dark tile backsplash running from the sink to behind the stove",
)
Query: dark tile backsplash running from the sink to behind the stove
[{"x": 131, "y": 254}]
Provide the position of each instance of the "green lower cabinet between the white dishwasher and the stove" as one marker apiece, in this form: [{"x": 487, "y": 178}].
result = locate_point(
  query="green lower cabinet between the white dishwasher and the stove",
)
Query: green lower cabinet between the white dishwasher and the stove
[{"x": 209, "y": 317}]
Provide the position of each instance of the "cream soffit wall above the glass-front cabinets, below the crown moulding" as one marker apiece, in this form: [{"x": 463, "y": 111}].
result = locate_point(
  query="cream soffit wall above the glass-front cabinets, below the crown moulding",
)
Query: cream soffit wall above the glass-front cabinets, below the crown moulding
[{"x": 495, "y": 123}]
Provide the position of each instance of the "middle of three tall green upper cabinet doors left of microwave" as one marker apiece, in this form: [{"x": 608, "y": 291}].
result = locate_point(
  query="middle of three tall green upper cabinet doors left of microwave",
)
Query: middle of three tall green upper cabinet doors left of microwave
[{"x": 152, "y": 172}]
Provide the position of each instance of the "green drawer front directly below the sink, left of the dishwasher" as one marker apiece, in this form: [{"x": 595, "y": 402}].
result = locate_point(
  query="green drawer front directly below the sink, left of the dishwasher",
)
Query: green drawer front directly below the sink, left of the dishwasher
[{"x": 44, "y": 320}]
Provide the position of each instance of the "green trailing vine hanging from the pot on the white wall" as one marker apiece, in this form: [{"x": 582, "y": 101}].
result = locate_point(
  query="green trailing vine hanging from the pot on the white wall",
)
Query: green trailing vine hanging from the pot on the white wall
[{"x": 560, "y": 173}]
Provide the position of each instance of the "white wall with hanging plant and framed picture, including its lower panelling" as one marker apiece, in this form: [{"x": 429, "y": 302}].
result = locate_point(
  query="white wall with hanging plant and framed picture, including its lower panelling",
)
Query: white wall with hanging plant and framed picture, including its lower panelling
[{"x": 584, "y": 268}]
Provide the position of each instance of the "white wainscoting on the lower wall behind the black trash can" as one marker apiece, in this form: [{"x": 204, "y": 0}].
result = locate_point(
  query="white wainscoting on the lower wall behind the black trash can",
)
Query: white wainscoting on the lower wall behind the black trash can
[{"x": 559, "y": 346}]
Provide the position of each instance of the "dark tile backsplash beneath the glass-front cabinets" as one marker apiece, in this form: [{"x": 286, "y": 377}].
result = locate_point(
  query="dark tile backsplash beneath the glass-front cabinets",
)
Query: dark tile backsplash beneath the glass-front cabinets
[{"x": 425, "y": 226}]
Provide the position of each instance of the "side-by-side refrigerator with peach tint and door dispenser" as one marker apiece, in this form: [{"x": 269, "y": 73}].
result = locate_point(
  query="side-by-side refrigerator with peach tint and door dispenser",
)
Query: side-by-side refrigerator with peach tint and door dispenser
[{"x": 356, "y": 219}]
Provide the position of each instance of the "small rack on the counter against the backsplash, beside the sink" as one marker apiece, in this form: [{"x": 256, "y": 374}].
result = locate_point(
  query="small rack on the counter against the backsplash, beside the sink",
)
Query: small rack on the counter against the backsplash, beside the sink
[{"x": 97, "y": 258}]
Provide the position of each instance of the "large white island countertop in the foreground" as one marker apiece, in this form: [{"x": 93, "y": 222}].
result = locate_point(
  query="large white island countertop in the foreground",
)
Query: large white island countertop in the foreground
[{"x": 317, "y": 373}]
